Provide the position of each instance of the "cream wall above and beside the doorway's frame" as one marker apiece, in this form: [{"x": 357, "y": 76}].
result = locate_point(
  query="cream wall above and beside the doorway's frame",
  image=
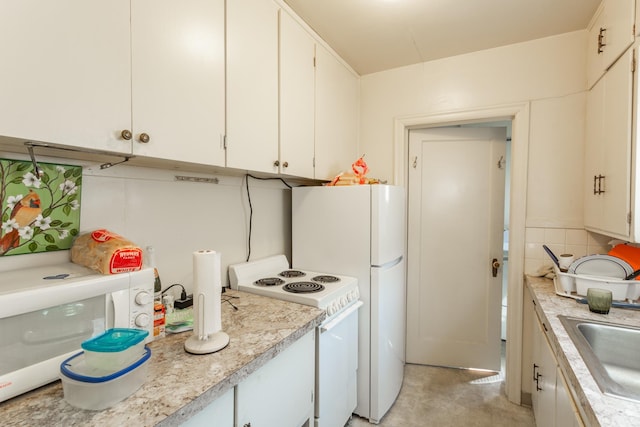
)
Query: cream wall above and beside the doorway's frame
[{"x": 548, "y": 73}]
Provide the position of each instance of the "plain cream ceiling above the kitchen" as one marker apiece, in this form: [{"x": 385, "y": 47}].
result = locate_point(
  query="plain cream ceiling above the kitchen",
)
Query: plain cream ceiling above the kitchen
[{"x": 377, "y": 35}]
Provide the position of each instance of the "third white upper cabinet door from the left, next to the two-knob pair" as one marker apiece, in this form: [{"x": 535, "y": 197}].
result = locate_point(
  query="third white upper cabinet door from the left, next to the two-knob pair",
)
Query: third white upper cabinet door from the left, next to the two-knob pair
[{"x": 252, "y": 85}]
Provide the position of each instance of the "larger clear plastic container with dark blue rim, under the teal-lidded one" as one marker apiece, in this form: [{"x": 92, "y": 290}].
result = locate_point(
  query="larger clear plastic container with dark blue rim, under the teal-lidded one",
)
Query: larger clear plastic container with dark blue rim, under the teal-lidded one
[{"x": 86, "y": 387}]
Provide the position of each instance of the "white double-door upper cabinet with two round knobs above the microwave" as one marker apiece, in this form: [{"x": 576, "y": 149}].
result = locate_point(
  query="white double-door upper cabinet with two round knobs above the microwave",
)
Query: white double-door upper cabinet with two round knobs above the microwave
[{"x": 102, "y": 75}]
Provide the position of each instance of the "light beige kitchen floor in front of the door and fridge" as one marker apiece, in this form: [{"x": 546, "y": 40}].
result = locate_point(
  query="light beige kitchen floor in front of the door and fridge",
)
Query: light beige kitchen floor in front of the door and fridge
[{"x": 443, "y": 397}]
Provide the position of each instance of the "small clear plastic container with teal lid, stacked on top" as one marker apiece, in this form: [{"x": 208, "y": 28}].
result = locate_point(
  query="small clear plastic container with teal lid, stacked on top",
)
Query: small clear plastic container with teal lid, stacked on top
[{"x": 115, "y": 349}]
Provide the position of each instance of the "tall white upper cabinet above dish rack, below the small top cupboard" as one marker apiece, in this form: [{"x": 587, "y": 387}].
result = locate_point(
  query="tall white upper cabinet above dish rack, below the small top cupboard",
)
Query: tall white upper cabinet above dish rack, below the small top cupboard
[{"x": 608, "y": 158}]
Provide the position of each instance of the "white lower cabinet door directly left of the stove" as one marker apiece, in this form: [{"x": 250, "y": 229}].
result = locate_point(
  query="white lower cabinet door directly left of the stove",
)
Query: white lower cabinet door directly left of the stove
[{"x": 281, "y": 392}]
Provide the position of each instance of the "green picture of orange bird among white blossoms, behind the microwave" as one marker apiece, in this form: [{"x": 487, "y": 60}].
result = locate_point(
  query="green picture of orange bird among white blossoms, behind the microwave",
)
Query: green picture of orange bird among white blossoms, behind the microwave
[{"x": 38, "y": 213}]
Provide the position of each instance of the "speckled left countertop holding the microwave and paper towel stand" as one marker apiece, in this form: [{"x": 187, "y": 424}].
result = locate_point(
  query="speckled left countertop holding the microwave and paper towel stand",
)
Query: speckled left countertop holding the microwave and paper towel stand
[{"x": 181, "y": 384}]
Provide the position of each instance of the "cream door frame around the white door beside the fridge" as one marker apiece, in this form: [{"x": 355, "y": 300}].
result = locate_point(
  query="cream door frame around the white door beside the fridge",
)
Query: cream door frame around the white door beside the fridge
[{"x": 519, "y": 116}]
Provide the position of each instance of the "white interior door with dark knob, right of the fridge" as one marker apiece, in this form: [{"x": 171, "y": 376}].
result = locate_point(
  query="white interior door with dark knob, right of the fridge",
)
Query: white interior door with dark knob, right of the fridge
[{"x": 456, "y": 220}]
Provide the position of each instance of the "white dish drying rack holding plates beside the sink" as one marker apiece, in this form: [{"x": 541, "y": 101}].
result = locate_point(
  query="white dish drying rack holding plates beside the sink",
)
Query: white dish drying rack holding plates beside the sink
[{"x": 625, "y": 293}]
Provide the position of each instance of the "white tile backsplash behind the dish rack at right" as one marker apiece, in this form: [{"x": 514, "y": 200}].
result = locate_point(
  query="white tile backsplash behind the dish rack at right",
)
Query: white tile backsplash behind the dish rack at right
[{"x": 578, "y": 242}]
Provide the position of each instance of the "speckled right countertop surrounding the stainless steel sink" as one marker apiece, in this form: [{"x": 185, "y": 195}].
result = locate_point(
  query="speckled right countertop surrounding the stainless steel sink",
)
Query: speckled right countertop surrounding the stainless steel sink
[{"x": 598, "y": 409}]
